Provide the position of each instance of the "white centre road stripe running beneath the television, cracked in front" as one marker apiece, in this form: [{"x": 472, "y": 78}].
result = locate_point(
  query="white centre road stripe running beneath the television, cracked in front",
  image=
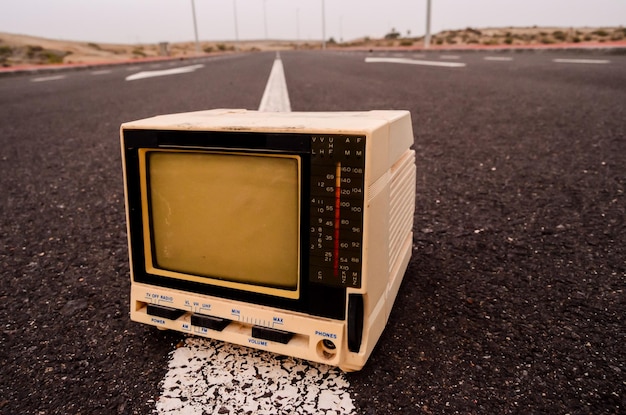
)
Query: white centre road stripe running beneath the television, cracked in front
[{"x": 212, "y": 377}]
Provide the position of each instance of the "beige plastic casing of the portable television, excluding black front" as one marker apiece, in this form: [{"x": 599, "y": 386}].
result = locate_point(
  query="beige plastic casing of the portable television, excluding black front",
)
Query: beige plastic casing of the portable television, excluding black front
[{"x": 388, "y": 212}]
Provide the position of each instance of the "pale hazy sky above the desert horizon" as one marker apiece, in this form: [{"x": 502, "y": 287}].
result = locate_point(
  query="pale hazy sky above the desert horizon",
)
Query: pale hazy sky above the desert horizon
[{"x": 151, "y": 21}]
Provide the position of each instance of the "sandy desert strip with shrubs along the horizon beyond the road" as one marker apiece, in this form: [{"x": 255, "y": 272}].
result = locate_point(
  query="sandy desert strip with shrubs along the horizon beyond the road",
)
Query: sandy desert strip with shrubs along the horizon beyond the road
[{"x": 21, "y": 50}]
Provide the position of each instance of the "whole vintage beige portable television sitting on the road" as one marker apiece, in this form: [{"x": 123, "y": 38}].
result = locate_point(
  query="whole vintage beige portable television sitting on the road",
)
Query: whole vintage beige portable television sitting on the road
[{"x": 287, "y": 232}]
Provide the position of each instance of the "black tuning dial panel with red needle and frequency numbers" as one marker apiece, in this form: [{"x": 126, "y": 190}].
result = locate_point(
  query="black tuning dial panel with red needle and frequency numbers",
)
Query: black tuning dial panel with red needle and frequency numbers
[{"x": 336, "y": 222}]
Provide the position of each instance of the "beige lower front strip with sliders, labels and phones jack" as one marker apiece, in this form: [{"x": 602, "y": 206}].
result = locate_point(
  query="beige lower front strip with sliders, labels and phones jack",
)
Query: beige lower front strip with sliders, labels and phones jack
[{"x": 269, "y": 328}]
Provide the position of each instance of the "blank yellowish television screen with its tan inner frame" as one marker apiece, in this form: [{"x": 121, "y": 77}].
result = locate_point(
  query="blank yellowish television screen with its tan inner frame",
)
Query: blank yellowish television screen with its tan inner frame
[{"x": 229, "y": 219}]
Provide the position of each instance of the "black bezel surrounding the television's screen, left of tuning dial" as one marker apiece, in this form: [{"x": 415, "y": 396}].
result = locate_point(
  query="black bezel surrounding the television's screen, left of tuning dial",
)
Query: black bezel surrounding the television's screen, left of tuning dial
[{"x": 314, "y": 298}]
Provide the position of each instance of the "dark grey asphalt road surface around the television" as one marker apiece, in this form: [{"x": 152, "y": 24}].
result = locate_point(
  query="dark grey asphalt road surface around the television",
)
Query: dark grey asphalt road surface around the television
[{"x": 514, "y": 299}]
